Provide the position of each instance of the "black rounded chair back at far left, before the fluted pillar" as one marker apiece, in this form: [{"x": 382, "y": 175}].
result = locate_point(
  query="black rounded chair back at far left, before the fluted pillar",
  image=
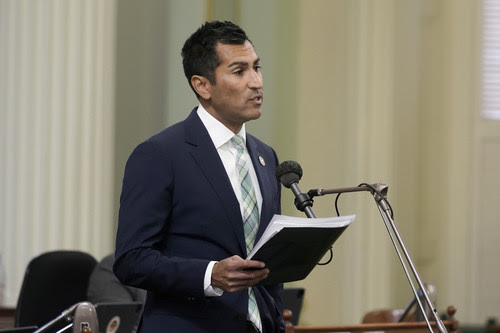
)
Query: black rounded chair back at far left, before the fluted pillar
[{"x": 52, "y": 283}]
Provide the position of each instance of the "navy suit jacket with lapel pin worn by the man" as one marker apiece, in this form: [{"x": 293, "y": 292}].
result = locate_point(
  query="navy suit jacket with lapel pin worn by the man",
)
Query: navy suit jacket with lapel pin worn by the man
[{"x": 178, "y": 212}]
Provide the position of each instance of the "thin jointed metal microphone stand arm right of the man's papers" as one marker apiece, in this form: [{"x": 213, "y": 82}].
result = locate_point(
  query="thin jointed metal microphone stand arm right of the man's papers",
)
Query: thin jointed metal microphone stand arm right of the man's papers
[{"x": 379, "y": 192}]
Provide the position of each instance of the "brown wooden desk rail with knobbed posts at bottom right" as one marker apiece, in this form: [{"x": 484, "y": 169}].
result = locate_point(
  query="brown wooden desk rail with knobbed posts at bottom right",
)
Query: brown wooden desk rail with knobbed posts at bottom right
[{"x": 392, "y": 327}]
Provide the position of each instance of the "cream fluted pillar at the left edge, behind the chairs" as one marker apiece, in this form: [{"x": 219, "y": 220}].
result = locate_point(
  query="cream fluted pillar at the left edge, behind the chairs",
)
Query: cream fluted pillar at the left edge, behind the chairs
[{"x": 56, "y": 129}]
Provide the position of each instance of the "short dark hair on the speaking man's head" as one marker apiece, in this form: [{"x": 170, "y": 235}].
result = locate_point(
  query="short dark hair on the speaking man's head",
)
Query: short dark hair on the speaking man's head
[{"x": 198, "y": 54}]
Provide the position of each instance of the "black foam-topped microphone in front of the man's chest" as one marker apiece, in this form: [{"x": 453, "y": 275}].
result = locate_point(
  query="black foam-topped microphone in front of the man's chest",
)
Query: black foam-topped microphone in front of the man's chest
[{"x": 289, "y": 173}]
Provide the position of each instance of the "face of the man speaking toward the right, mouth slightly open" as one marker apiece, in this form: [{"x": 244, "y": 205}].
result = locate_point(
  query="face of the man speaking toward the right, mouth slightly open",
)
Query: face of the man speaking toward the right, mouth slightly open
[{"x": 236, "y": 97}]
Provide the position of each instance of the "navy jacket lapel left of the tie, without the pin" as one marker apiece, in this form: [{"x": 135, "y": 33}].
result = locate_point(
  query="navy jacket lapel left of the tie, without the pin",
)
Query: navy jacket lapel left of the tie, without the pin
[{"x": 207, "y": 158}]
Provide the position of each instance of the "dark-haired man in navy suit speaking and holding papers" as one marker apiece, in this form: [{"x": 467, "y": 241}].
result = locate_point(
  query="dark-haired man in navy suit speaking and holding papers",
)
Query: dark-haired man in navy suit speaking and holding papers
[{"x": 180, "y": 234}]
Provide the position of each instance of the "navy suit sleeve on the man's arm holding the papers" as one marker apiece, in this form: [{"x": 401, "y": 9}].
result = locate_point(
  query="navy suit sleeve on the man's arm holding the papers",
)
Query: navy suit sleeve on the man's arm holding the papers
[{"x": 145, "y": 206}]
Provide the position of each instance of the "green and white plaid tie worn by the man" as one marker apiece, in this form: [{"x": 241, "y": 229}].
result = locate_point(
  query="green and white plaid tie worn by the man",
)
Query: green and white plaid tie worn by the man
[{"x": 250, "y": 217}]
